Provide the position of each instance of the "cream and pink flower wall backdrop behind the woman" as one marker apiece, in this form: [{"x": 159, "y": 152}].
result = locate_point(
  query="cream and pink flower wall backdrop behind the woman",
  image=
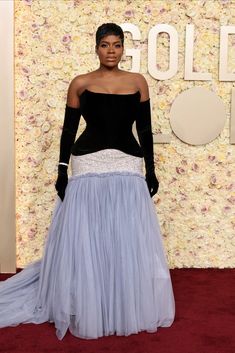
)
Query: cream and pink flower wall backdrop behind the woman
[{"x": 54, "y": 41}]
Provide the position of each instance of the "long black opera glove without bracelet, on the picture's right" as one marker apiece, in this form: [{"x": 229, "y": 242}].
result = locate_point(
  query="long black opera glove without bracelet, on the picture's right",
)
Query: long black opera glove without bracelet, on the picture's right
[{"x": 144, "y": 131}]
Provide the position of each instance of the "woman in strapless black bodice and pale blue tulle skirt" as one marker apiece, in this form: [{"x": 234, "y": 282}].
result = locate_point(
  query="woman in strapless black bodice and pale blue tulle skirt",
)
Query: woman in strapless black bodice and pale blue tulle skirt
[{"x": 104, "y": 270}]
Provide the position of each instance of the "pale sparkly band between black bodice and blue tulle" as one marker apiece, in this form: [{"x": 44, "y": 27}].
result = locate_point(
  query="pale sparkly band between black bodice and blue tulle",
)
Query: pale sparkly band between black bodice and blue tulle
[{"x": 107, "y": 160}]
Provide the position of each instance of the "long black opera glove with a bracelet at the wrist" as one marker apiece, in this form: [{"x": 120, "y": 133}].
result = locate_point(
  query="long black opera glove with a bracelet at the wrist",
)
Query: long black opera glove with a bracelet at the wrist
[{"x": 69, "y": 131}]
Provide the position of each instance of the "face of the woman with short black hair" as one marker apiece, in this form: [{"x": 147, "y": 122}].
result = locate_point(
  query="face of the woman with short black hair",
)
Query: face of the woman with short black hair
[{"x": 110, "y": 50}]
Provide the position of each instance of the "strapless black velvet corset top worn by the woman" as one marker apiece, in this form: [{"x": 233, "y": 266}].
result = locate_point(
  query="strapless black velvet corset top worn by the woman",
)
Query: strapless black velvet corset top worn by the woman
[{"x": 109, "y": 119}]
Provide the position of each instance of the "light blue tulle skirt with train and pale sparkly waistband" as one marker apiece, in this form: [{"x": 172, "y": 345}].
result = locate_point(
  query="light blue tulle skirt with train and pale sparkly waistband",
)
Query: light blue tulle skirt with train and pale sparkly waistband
[{"x": 103, "y": 270}]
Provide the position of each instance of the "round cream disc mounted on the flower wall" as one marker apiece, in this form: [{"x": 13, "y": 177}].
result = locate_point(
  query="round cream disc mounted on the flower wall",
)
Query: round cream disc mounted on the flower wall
[{"x": 197, "y": 116}]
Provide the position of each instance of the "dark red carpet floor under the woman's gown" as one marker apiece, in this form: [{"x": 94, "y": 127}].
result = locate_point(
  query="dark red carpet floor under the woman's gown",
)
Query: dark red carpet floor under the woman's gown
[{"x": 205, "y": 323}]
